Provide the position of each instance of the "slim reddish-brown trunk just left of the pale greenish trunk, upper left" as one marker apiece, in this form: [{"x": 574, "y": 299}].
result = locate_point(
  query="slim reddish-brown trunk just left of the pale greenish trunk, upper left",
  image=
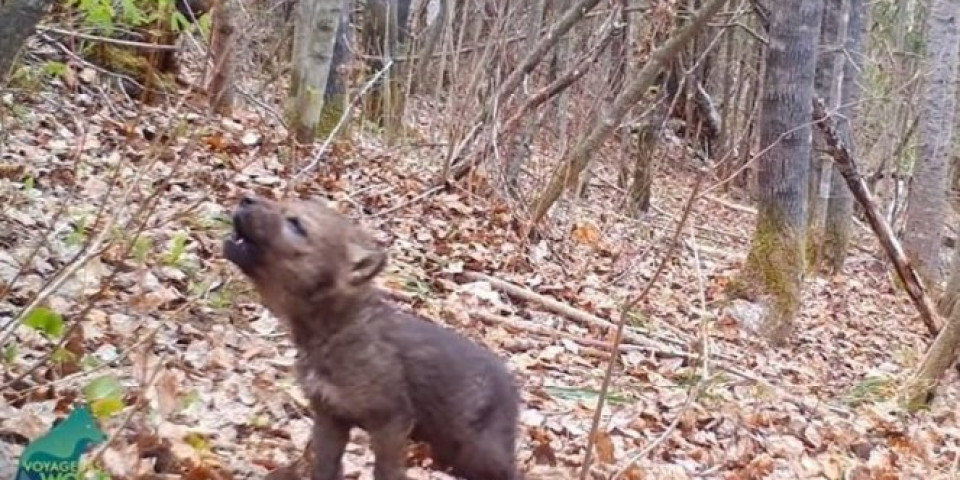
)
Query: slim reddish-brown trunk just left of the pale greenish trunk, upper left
[{"x": 221, "y": 87}]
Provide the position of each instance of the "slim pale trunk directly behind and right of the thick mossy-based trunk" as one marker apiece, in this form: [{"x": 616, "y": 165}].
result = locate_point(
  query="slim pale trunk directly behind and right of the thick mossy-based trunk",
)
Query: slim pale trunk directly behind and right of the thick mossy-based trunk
[{"x": 826, "y": 86}]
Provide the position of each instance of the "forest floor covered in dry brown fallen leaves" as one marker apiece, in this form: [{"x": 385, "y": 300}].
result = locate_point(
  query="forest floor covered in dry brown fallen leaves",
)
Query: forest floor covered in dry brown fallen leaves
[{"x": 207, "y": 371}]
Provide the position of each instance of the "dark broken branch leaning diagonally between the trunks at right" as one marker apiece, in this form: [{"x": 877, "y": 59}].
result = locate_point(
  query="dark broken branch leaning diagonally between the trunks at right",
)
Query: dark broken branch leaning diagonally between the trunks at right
[{"x": 847, "y": 167}]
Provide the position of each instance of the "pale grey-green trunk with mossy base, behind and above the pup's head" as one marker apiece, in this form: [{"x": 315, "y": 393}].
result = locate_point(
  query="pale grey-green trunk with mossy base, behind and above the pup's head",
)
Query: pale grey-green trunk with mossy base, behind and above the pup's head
[{"x": 314, "y": 37}]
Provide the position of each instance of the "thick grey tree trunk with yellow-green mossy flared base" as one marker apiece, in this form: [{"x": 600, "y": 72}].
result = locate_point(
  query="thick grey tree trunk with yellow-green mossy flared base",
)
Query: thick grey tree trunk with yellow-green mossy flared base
[{"x": 773, "y": 272}]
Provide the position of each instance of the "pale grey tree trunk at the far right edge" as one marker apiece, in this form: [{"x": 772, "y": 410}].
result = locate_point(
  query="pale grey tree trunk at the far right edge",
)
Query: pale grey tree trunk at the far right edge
[{"x": 926, "y": 201}]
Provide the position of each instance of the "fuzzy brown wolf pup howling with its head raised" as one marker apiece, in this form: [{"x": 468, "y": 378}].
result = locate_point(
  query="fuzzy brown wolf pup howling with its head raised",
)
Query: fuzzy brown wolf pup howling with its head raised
[{"x": 364, "y": 363}]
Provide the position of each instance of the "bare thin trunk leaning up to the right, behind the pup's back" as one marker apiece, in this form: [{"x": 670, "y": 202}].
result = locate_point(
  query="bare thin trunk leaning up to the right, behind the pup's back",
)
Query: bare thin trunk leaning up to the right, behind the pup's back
[{"x": 574, "y": 162}]
